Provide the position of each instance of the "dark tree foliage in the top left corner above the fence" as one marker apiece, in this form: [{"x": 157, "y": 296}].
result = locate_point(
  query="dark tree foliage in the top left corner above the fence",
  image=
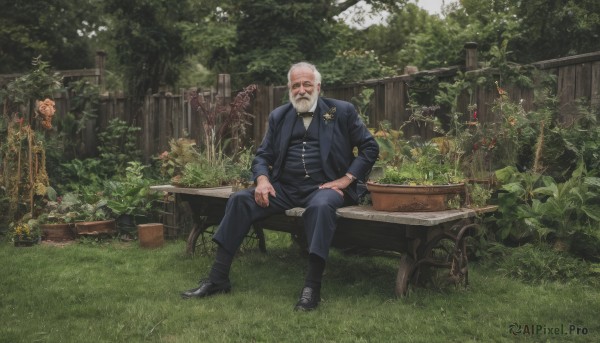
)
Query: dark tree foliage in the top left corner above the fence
[{"x": 57, "y": 30}]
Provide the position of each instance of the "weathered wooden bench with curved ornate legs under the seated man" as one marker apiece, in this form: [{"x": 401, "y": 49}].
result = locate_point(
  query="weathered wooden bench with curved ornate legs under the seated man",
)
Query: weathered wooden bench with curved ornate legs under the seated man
[{"x": 425, "y": 240}]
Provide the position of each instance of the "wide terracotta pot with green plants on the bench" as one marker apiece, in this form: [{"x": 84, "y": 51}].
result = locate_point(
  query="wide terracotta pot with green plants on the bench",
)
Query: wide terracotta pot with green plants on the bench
[{"x": 425, "y": 177}]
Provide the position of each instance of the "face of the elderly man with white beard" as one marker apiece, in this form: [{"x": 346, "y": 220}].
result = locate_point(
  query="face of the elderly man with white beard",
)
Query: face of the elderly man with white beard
[{"x": 303, "y": 90}]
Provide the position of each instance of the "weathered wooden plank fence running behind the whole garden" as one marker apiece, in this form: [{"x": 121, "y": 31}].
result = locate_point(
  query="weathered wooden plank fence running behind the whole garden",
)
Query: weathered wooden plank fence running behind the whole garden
[{"x": 169, "y": 115}]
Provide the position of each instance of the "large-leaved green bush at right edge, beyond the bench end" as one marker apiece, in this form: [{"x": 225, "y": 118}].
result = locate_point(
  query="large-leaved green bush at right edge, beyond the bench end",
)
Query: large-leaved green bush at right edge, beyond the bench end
[{"x": 536, "y": 207}]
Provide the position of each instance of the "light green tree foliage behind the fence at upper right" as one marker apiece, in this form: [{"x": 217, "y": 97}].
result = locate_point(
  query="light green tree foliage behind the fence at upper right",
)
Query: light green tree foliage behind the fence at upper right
[{"x": 530, "y": 31}]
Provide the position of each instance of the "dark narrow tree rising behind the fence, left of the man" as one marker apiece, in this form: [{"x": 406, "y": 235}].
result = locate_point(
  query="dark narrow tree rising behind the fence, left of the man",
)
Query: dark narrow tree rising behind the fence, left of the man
[{"x": 149, "y": 40}]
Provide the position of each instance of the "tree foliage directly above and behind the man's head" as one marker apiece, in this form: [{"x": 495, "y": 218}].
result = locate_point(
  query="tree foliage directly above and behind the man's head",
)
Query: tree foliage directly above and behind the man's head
[{"x": 257, "y": 41}]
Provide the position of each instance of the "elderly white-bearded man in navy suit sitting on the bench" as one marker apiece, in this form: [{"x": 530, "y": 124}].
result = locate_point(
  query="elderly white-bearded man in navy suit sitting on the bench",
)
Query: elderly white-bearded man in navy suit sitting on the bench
[{"x": 305, "y": 160}]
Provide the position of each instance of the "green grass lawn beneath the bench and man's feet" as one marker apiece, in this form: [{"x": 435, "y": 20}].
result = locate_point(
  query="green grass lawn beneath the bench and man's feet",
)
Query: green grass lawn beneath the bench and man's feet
[{"x": 119, "y": 292}]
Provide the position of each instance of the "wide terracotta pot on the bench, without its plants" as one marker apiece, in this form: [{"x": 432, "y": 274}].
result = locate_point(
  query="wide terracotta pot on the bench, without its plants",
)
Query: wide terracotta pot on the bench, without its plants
[{"x": 406, "y": 198}]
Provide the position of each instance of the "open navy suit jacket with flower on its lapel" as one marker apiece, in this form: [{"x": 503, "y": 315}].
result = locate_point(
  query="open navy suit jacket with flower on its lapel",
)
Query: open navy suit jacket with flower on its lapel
[{"x": 339, "y": 133}]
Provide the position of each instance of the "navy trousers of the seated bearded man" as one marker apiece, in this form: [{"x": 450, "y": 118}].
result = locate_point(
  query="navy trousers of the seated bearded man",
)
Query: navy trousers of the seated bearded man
[{"x": 319, "y": 218}]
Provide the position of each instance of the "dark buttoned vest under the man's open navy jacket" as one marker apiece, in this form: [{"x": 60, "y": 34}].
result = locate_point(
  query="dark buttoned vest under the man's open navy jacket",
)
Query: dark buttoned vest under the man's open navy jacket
[{"x": 303, "y": 157}]
